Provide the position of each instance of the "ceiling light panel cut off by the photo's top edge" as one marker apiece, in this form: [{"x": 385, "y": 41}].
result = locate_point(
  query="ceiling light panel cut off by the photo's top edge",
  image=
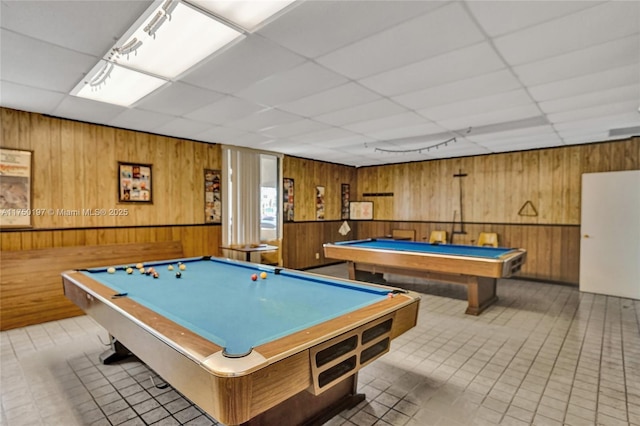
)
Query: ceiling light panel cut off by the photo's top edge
[{"x": 248, "y": 14}]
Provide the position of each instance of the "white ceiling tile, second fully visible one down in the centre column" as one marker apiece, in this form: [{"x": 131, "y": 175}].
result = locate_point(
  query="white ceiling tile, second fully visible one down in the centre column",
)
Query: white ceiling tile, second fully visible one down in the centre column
[{"x": 452, "y": 66}]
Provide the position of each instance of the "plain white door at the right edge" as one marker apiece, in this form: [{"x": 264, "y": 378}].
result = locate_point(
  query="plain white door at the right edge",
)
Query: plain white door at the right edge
[{"x": 610, "y": 226}]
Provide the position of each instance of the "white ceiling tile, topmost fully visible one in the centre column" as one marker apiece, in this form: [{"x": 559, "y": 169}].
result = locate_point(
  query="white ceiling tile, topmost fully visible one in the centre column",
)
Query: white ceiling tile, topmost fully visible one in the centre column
[{"x": 406, "y": 43}]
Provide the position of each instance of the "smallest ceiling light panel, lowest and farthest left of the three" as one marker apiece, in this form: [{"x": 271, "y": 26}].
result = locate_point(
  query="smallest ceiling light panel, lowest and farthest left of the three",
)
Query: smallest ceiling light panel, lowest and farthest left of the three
[{"x": 111, "y": 83}]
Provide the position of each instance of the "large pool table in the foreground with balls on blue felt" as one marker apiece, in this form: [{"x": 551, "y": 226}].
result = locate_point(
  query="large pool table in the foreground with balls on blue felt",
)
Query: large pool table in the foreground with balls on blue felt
[{"x": 280, "y": 350}]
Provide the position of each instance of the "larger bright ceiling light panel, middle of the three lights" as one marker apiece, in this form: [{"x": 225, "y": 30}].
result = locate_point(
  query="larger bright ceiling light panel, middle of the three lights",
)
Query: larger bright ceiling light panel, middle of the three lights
[{"x": 171, "y": 38}]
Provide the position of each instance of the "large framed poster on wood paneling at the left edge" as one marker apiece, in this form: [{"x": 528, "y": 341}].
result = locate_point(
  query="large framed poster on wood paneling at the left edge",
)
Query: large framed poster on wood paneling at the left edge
[{"x": 15, "y": 189}]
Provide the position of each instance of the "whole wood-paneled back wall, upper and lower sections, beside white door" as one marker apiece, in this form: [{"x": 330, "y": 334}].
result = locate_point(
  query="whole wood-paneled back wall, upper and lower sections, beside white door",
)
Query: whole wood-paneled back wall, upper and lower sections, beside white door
[{"x": 426, "y": 195}]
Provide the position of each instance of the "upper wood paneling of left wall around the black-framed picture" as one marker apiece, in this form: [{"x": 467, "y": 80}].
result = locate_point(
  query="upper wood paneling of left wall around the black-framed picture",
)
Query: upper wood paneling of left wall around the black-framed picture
[{"x": 75, "y": 167}]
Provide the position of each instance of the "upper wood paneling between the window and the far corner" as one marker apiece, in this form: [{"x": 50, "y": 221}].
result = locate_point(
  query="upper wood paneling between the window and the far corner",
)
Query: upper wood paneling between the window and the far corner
[{"x": 307, "y": 174}]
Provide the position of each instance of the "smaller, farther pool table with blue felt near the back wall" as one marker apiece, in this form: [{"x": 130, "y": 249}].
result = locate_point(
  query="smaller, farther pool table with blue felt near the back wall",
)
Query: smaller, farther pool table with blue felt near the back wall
[{"x": 476, "y": 267}]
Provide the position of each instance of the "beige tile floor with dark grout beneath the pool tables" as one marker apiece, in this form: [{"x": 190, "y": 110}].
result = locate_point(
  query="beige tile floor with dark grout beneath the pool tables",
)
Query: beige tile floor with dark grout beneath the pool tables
[{"x": 544, "y": 355}]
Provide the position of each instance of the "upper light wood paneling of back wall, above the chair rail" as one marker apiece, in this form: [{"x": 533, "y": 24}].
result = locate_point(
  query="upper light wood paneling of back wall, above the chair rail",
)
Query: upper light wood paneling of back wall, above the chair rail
[{"x": 497, "y": 186}]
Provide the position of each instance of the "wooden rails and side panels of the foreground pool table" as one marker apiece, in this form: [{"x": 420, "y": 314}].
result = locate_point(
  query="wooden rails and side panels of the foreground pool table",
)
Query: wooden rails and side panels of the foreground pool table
[{"x": 244, "y": 394}]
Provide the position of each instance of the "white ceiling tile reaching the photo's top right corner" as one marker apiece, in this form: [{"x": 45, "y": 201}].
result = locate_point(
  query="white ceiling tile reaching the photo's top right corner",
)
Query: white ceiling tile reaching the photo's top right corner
[{"x": 592, "y": 26}]
